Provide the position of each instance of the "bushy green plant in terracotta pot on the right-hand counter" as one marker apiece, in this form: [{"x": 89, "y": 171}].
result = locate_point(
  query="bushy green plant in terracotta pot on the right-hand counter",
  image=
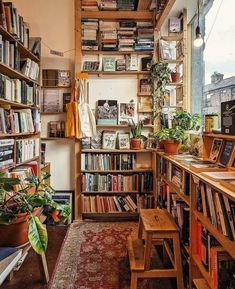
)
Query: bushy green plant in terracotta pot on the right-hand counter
[{"x": 171, "y": 139}]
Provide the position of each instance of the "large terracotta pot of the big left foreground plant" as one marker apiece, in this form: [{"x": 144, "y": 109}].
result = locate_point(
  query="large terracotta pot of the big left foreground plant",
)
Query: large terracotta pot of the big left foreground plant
[{"x": 16, "y": 234}]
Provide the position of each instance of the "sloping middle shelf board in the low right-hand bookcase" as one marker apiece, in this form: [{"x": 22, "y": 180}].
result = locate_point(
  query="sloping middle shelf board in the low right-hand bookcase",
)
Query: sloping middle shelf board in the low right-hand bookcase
[{"x": 227, "y": 244}]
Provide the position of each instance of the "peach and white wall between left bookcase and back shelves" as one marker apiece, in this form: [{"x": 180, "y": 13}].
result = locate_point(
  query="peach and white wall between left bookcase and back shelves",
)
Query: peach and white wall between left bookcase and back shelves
[{"x": 53, "y": 21}]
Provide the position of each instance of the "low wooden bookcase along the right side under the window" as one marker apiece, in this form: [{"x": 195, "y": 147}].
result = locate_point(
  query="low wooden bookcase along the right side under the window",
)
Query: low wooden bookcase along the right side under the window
[{"x": 206, "y": 237}]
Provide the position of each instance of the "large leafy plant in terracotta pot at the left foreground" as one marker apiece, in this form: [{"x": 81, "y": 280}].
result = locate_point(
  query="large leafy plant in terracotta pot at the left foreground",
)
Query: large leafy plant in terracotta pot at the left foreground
[{"x": 20, "y": 211}]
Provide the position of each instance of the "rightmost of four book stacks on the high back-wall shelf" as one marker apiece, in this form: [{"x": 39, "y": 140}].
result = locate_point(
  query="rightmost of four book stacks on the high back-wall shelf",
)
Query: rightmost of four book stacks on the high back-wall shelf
[{"x": 145, "y": 37}]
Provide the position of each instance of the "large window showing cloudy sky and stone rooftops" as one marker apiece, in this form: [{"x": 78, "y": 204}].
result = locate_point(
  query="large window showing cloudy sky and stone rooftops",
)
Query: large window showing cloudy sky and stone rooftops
[{"x": 213, "y": 65}]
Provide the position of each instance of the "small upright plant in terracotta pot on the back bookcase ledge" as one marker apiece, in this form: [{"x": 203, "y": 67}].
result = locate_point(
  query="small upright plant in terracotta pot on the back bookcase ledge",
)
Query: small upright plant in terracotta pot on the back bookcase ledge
[{"x": 137, "y": 137}]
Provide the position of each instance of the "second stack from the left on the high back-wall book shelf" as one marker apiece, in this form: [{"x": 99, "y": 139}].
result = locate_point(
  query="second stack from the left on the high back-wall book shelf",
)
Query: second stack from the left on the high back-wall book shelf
[{"x": 109, "y": 37}]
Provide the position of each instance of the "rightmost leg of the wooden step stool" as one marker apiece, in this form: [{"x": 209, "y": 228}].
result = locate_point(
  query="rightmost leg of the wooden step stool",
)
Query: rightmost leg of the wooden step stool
[{"x": 178, "y": 264}]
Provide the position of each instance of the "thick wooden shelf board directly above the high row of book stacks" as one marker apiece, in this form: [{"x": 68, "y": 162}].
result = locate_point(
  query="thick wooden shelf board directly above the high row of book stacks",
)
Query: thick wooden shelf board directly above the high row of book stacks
[{"x": 118, "y": 15}]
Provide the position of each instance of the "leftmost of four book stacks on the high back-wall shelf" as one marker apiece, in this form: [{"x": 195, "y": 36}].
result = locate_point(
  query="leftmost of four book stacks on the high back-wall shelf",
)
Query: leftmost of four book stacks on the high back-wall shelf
[{"x": 89, "y": 34}]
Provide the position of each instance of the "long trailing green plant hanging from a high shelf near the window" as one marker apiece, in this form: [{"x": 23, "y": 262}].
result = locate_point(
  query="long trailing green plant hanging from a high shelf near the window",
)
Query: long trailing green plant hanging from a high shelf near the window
[{"x": 159, "y": 79}]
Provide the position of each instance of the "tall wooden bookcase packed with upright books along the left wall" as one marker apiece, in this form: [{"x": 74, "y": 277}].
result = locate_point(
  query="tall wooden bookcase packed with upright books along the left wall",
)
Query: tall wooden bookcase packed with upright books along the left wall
[{"x": 19, "y": 98}]
